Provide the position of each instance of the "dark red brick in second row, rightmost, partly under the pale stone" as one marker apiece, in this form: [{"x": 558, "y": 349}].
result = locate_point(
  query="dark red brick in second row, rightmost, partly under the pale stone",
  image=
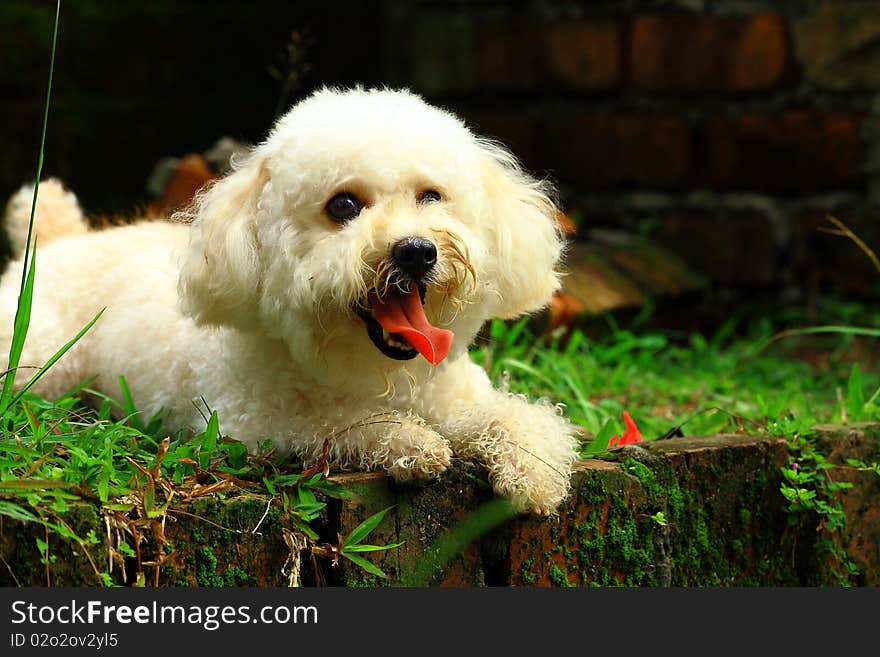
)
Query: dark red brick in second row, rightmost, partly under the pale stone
[{"x": 795, "y": 151}]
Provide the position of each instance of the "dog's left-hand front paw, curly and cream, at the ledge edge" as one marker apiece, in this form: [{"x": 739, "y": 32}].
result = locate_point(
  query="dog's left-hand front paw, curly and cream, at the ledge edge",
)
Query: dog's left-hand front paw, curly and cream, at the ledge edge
[{"x": 413, "y": 451}]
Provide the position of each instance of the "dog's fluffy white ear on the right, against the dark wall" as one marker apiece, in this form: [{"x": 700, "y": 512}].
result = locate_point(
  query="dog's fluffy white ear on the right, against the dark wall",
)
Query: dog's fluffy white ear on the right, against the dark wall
[{"x": 525, "y": 232}]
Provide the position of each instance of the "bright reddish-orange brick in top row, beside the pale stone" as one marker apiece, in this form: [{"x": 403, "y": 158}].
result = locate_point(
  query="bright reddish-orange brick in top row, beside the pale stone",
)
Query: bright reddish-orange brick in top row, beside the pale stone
[{"x": 686, "y": 52}]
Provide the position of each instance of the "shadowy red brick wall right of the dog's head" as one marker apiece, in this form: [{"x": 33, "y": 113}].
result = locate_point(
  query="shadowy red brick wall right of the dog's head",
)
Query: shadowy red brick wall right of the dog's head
[{"x": 726, "y": 130}]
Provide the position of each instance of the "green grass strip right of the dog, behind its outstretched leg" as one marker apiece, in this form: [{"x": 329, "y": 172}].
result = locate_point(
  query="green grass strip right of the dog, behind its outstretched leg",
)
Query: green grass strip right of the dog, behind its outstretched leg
[{"x": 691, "y": 383}]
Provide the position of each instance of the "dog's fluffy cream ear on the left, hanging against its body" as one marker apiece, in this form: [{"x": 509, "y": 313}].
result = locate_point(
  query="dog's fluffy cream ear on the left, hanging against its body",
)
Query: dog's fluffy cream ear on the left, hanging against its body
[{"x": 219, "y": 278}]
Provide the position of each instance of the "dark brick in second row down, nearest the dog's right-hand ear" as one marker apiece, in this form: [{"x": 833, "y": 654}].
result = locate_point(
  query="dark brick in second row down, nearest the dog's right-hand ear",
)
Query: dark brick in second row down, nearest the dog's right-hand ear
[{"x": 600, "y": 150}]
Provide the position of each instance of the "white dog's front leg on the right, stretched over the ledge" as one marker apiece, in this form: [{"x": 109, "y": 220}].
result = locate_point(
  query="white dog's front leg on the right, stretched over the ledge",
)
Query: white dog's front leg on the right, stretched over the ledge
[{"x": 528, "y": 448}]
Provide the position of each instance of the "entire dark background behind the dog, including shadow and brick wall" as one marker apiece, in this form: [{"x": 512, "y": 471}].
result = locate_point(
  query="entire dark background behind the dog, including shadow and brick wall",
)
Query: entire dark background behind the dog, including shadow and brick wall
[{"x": 723, "y": 130}]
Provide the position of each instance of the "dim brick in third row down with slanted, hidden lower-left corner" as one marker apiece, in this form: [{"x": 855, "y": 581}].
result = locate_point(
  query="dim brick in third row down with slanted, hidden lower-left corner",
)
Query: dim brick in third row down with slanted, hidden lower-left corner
[{"x": 736, "y": 248}]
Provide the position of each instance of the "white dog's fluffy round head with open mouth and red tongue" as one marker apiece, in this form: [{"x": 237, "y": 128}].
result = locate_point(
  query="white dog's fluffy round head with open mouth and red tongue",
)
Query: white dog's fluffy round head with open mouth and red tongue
[{"x": 370, "y": 226}]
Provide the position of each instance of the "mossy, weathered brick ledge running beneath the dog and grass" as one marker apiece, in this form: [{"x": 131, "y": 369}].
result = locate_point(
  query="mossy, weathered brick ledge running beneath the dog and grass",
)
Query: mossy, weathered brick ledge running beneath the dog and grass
[{"x": 696, "y": 511}]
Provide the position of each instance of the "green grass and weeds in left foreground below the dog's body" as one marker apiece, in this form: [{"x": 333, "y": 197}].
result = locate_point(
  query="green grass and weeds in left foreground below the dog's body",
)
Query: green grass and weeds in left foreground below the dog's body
[{"x": 56, "y": 453}]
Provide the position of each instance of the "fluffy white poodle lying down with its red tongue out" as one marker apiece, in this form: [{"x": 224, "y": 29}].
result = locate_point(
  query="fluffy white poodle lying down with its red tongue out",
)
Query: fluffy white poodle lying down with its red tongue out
[{"x": 329, "y": 287}]
